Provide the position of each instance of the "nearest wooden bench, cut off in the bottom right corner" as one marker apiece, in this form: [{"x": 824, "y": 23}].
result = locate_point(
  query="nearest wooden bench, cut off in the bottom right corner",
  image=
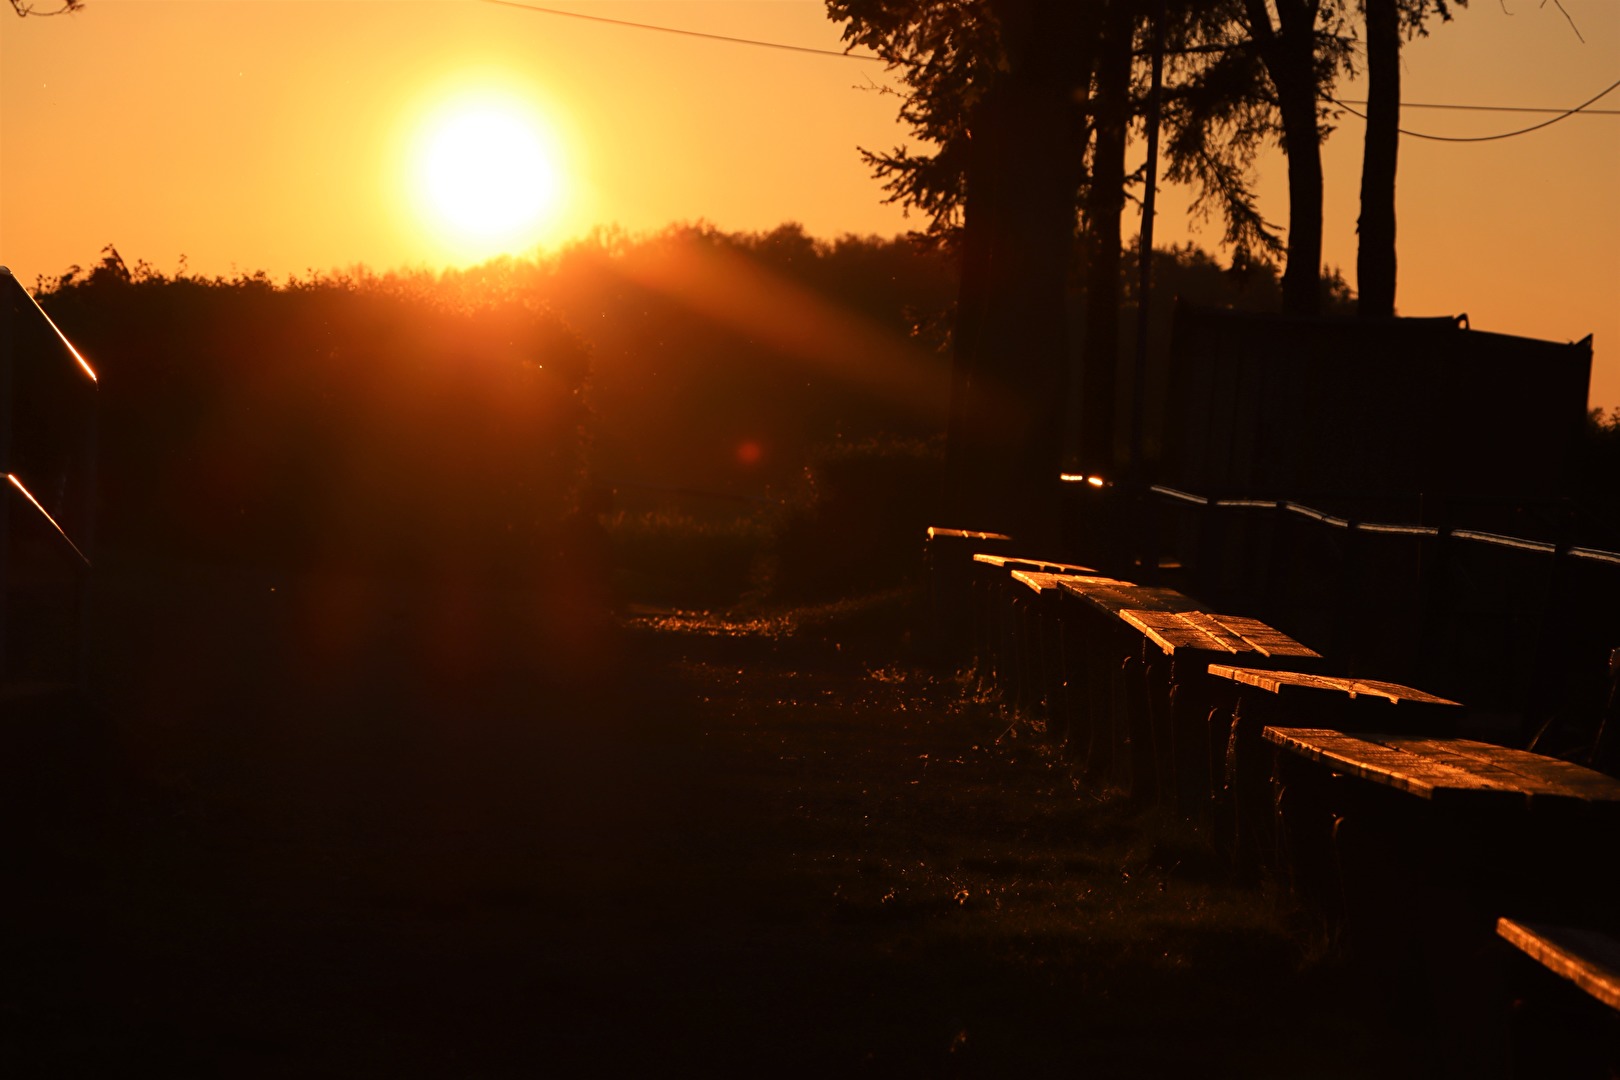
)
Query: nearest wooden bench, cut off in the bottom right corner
[{"x": 1564, "y": 985}]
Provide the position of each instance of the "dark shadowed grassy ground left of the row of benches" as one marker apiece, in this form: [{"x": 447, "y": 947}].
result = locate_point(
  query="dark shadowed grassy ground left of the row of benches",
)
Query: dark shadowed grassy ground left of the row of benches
[{"x": 352, "y": 830}]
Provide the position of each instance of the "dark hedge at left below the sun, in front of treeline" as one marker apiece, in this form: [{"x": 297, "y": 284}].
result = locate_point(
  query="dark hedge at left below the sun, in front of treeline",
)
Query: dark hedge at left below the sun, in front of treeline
[{"x": 354, "y": 420}]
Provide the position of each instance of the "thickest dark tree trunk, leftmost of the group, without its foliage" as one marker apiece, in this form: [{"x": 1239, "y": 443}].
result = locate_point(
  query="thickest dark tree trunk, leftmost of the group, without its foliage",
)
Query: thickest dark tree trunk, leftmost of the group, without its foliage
[{"x": 1010, "y": 386}]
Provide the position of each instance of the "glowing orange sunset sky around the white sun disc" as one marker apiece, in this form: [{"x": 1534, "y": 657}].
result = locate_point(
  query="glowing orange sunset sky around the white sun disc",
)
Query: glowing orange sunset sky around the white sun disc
[{"x": 279, "y": 135}]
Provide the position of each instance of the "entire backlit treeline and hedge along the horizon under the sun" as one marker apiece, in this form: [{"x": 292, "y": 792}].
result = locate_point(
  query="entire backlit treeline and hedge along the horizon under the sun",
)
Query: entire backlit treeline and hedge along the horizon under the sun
[{"x": 416, "y": 419}]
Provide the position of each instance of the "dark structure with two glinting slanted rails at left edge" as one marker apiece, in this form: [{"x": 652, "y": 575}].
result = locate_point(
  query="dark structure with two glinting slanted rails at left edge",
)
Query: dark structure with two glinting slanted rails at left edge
[{"x": 48, "y": 504}]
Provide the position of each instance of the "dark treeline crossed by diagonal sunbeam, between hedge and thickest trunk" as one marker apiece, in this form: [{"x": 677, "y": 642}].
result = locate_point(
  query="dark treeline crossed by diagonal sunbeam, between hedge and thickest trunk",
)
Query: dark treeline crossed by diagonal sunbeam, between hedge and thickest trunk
[{"x": 723, "y": 360}]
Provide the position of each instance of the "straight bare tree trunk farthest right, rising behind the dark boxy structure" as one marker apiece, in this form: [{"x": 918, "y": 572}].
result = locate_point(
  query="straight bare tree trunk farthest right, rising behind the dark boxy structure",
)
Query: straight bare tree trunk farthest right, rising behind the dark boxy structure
[{"x": 1376, "y": 227}]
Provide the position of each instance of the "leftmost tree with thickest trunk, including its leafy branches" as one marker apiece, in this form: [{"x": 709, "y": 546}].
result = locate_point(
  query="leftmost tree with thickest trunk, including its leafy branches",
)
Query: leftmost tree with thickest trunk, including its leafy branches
[{"x": 997, "y": 87}]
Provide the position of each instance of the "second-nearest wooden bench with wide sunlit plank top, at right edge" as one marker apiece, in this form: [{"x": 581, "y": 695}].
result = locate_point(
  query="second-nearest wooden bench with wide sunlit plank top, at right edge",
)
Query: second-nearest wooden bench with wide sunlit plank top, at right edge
[{"x": 1409, "y": 815}]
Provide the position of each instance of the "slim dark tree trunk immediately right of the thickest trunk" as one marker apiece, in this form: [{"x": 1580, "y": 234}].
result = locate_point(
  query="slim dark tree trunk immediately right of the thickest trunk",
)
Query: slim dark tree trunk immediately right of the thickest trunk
[{"x": 1104, "y": 244}]
